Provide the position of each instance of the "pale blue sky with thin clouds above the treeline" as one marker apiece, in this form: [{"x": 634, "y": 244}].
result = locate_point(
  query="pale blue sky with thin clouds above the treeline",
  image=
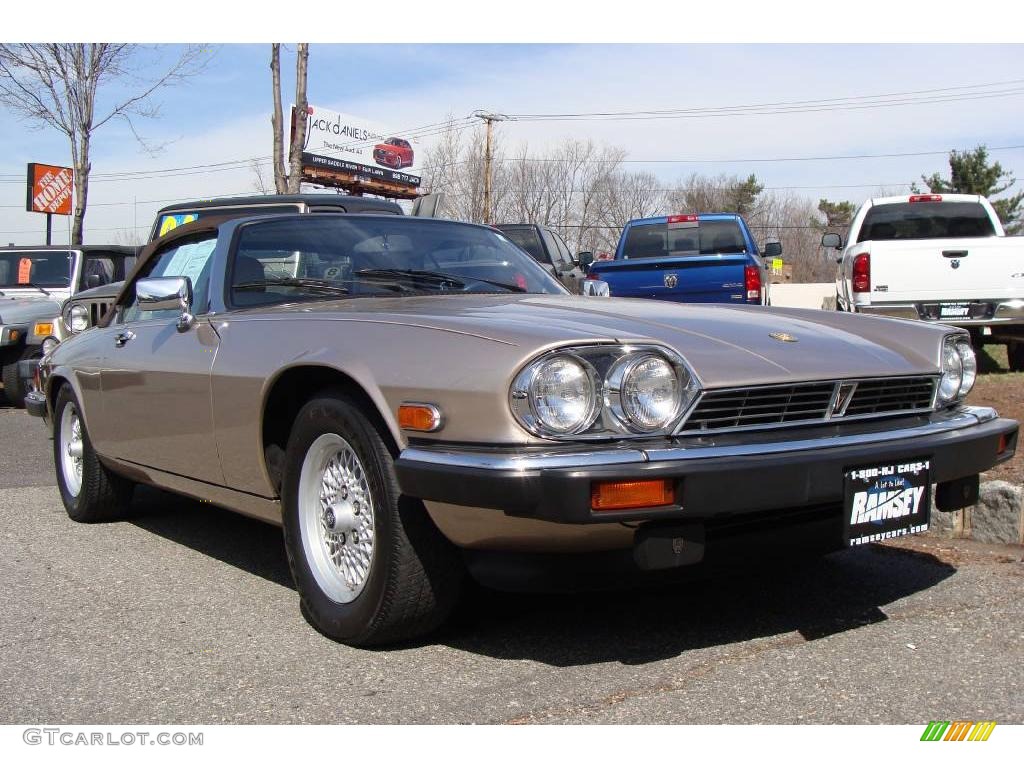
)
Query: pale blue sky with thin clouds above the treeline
[{"x": 225, "y": 114}]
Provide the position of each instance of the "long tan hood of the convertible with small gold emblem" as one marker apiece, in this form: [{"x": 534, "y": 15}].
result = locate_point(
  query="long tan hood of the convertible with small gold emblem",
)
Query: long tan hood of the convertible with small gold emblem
[{"x": 726, "y": 346}]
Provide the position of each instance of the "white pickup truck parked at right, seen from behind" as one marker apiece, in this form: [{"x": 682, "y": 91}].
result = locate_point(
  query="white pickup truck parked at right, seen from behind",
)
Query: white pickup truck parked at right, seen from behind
[{"x": 940, "y": 259}]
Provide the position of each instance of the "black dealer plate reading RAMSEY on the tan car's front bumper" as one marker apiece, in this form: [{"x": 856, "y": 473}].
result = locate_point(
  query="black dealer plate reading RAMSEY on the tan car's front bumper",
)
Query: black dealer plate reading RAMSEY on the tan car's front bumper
[{"x": 885, "y": 501}]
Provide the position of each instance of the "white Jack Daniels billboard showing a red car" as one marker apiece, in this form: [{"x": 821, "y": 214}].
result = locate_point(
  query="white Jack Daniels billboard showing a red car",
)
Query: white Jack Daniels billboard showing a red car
[{"x": 336, "y": 142}]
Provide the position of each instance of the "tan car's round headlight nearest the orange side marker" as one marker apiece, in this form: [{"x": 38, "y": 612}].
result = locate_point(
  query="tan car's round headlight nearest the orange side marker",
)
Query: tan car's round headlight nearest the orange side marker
[{"x": 562, "y": 394}]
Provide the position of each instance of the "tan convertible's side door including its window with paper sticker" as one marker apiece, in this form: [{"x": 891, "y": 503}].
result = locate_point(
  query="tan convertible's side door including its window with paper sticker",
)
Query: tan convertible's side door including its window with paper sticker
[{"x": 155, "y": 378}]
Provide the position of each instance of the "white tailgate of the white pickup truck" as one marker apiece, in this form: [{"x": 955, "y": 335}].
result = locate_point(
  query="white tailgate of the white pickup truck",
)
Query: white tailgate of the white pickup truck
[{"x": 947, "y": 269}]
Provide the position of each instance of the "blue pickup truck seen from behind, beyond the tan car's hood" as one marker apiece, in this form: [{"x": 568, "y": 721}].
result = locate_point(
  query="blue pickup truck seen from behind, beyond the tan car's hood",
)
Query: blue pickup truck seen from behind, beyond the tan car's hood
[{"x": 708, "y": 258}]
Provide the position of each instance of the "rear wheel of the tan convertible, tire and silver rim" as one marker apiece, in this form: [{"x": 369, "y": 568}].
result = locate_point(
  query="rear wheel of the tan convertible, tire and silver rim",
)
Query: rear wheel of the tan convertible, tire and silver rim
[{"x": 90, "y": 491}]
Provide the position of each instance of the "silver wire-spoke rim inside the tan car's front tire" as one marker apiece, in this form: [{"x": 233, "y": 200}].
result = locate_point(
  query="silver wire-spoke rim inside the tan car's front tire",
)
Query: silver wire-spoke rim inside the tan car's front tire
[{"x": 336, "y": 518}]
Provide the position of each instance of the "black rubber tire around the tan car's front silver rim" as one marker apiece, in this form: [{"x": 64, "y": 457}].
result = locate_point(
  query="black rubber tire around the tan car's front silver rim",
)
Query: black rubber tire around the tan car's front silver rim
[{"x": 415, "y": 576}]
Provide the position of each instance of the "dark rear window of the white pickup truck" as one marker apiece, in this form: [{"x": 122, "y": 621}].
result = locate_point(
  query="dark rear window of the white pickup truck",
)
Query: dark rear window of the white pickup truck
[{"x": 925, "y": 222}]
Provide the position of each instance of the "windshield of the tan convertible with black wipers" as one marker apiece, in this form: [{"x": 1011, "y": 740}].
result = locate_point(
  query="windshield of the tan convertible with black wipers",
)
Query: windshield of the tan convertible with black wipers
[{"x": 293, "y": 260}]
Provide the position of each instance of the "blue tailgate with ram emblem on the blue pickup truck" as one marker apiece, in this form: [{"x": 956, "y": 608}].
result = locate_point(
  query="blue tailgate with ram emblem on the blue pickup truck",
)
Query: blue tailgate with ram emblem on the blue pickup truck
[{"x": 691, "y": 279}]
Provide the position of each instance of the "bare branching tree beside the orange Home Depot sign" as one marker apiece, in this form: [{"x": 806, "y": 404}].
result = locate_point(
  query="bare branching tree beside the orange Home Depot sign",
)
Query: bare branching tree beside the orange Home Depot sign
[{"x": 62, "y": 86}]
